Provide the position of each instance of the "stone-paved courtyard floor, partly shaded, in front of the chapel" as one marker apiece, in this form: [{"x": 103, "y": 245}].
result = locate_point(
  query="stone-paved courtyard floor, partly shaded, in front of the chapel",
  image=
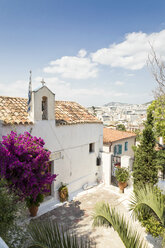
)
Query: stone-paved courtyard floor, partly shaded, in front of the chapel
[{"x": 77, "y": 216}]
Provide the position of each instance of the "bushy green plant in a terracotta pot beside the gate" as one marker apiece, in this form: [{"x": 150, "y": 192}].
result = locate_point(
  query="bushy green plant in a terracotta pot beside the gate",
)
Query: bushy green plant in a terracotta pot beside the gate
[{"x": 122, "y": 176}]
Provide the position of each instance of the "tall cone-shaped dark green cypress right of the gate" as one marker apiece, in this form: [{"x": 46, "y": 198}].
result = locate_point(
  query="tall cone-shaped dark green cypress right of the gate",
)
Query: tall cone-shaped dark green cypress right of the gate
[{"x": 145, "y": 167}]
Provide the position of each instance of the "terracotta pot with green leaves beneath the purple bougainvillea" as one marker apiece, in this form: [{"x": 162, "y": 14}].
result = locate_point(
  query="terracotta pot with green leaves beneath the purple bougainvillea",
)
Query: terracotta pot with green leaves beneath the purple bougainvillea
[{"x": 34, "y": 204}]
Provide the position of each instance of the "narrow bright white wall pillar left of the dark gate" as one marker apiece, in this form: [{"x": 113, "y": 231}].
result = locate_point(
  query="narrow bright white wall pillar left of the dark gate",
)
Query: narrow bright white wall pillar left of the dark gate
[{"x": 106, "y": 167}]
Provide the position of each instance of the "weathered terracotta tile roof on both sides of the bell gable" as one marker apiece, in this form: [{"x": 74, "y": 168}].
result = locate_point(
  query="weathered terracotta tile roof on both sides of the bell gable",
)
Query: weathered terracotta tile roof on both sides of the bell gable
[{"x": 13, "y": 110}]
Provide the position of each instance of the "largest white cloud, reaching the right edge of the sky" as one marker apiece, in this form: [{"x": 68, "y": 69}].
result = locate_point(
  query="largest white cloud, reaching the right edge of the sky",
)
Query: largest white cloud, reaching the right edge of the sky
[{"x": 132, "y": 53}]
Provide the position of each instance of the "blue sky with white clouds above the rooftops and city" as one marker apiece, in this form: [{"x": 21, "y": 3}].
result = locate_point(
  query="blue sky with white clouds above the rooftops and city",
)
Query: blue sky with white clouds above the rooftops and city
[{"x": 88, "y": 51}]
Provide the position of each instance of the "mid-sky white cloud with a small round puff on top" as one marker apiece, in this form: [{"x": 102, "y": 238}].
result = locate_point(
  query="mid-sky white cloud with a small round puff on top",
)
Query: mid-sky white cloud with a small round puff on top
[{"x": 73, "y": 67}]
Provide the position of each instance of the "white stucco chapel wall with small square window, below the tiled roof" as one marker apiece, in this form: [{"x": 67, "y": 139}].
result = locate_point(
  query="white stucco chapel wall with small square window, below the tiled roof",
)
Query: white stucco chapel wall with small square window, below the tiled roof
[{"x": 73, "y": 163}]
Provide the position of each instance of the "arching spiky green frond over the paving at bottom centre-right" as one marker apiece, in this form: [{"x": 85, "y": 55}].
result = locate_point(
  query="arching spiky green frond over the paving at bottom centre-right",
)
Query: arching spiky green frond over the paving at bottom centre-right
[{"x": 104, "y": 215}]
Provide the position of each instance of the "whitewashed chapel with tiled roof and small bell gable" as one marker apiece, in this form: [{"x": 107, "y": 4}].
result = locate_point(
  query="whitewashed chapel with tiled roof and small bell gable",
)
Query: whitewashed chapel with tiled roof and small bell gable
[{"x": 71, "y": 133}]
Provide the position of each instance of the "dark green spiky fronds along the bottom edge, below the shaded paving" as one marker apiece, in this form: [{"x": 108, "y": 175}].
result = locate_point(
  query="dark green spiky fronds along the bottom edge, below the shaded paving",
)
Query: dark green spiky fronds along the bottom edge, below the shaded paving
[{"x": 49, "y": 235}]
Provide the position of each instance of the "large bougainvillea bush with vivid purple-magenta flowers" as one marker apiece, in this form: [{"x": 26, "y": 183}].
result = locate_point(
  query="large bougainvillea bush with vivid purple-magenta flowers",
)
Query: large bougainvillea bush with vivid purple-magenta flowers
[{"x": 24, "y": 165}]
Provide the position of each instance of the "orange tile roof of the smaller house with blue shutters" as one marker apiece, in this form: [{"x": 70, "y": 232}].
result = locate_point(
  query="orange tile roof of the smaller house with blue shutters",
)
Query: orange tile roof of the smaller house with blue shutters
[{"x": 111, "y": 135}]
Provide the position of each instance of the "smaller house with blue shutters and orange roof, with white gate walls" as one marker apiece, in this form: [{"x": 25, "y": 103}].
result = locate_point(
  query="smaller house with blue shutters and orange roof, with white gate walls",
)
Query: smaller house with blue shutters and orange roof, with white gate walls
[{"x": 117, "y": 151}]
